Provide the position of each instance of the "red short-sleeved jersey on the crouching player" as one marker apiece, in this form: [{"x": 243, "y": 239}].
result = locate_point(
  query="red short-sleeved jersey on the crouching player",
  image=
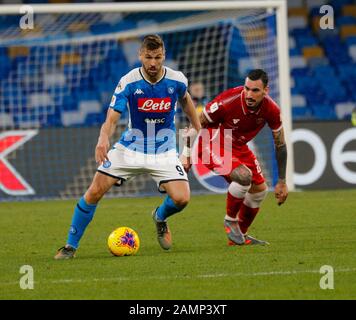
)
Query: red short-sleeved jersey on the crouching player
[{"x": 229, "y": 111}]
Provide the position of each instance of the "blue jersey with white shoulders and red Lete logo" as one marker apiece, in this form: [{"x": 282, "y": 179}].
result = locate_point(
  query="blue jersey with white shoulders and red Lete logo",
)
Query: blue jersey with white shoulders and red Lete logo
[{"x": 151, "y": 109}]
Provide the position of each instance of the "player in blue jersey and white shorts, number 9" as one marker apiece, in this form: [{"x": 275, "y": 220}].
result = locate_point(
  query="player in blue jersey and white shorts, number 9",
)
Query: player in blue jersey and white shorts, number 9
[{"x": 148, "y": 145}]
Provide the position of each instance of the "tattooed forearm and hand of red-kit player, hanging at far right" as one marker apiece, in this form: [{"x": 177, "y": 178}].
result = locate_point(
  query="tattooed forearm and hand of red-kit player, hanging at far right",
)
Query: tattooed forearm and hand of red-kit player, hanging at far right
[{"x": 281, "y": 189}]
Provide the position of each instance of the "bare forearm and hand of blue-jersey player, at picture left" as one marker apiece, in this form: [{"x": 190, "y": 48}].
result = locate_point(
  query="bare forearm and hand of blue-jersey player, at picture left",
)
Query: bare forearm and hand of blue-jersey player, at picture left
[{"x": 106, "y": 132}]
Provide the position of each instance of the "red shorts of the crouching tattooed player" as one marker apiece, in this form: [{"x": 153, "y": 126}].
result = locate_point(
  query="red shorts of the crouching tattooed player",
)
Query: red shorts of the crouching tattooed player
[{"x": 224, "y": 162}]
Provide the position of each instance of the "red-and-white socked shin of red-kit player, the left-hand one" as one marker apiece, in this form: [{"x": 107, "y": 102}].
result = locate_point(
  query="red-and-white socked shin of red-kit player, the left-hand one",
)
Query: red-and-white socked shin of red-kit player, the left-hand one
[{"x": 235, "y": 196}]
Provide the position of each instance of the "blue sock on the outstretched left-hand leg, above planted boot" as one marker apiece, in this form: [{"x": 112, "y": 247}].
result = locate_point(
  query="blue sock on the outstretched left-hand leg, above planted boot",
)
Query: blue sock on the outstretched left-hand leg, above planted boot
[{"x": 83, "y": 214}]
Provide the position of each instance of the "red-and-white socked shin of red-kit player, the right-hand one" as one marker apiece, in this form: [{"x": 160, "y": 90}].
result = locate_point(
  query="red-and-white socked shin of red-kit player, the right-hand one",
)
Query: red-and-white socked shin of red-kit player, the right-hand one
[{"x": 249, "y": 209}]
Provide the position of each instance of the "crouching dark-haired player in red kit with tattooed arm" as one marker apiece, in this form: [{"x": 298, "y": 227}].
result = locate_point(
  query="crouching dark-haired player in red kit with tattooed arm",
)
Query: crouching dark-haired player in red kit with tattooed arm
[{"x": 239, "y": 114}]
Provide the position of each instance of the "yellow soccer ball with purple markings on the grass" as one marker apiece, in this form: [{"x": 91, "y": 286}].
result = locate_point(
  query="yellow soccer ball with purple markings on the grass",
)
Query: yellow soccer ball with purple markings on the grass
[{"x": 123, "y": 241}]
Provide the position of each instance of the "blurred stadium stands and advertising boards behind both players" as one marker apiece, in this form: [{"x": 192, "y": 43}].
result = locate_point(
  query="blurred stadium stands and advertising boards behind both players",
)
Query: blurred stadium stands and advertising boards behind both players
[{"x": 56, "y": 81}]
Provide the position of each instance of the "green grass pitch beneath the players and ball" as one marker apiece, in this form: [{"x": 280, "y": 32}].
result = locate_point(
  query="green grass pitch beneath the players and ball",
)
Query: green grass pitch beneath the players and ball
[{"x": 310, "y": 230}]
